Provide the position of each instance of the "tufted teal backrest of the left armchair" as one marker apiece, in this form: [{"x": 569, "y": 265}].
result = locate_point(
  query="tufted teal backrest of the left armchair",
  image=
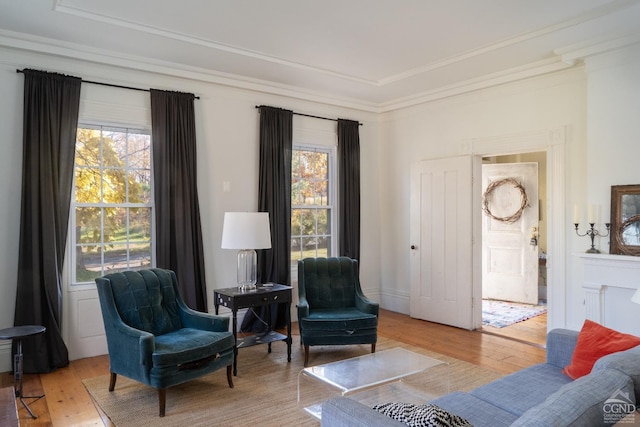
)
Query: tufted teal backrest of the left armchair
[{"x": 146, "y": 300}]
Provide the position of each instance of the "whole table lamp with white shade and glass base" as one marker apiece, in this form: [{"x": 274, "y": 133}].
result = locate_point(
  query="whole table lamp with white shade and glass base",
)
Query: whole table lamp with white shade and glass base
[{"x": 246, "y": 231}]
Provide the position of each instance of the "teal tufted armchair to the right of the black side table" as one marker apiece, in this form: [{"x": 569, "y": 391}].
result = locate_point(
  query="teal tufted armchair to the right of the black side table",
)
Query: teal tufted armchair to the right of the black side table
[{"x": 332, "y": 310}]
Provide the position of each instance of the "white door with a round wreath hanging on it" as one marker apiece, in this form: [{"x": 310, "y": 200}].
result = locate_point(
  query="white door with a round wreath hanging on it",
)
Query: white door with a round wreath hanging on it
[{"x": 509, "y": 256}]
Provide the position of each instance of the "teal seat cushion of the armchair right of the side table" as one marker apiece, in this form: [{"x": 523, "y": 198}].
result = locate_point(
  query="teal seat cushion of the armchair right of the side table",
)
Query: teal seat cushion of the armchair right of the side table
[{"x": 350, "y": 319}]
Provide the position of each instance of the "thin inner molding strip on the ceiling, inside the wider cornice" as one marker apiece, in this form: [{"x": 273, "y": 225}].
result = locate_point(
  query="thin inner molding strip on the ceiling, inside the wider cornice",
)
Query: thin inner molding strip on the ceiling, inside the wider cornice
[{"x": 596, "y": 13}]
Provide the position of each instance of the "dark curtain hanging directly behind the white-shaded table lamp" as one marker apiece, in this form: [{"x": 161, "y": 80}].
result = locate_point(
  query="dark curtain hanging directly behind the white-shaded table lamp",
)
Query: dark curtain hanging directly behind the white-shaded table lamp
[{"x": 274, "y": 196}]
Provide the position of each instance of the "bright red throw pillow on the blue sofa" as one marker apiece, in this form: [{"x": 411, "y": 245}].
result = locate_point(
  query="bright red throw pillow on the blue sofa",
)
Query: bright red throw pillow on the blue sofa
[{"x": 595, "y": 341}]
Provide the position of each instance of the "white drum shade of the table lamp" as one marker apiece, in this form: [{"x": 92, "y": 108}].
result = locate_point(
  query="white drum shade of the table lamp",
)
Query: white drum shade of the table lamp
[{"x": 246, "y": 230}]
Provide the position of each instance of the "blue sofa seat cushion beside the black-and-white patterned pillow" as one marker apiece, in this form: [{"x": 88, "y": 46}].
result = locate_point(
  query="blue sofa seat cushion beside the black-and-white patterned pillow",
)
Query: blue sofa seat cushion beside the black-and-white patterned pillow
[{"x": 476, "y": 411}]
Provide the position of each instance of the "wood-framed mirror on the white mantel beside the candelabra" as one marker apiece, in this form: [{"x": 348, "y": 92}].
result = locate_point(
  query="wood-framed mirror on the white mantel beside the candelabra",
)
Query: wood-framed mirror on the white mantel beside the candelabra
[{"x": 625, "y": 219}]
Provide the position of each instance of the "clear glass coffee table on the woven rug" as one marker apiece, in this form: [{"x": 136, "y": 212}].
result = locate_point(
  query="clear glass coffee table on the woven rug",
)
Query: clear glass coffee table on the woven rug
[{"x": 395, "y": 375}]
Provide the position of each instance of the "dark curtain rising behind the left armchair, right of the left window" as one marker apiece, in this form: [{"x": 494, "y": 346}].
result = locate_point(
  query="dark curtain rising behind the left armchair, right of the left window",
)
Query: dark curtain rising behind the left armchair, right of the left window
[{"x": 178, "y": 228}]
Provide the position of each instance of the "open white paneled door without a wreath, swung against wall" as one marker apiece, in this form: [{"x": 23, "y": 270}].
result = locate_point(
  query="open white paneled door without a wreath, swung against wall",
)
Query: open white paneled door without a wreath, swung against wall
[{"x": 442, "y": 255}]
